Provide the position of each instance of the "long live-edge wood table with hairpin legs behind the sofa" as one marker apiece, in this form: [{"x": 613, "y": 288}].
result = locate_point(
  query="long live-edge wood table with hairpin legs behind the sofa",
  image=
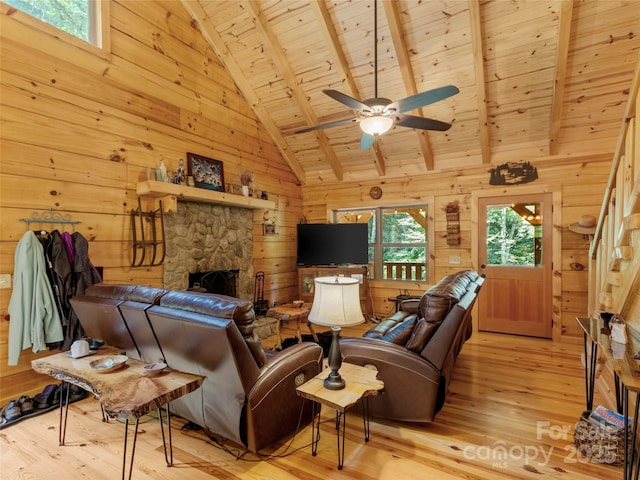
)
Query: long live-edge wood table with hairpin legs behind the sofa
[{"x": 127, "y": 393}]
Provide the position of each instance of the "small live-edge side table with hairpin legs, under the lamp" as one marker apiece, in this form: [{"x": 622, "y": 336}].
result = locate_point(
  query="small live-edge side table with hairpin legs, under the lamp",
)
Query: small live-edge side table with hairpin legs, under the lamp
[{"x": 361, "y": 383}]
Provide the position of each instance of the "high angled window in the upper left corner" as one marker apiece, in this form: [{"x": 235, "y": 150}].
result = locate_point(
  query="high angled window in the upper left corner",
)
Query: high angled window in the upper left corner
[{"x": 80, "y": 18}]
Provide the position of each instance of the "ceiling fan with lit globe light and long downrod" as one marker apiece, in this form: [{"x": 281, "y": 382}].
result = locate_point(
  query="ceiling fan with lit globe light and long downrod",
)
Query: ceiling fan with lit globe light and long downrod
[{"x": 377, "y": 115}]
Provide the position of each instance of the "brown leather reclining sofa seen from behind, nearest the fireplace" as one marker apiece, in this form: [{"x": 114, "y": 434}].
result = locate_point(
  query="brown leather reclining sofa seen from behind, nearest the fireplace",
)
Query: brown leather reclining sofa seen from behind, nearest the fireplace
[{"x": 249, "y": 394}]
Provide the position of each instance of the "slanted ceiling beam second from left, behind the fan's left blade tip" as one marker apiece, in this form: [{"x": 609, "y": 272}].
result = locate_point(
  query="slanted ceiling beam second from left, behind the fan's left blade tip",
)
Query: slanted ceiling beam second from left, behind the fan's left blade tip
[{"x": 273, "y": 48}]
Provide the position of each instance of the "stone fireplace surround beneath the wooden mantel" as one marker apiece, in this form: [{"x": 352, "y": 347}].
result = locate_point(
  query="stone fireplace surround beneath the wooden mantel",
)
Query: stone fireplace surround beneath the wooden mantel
[{"x": 202, "y": 237}]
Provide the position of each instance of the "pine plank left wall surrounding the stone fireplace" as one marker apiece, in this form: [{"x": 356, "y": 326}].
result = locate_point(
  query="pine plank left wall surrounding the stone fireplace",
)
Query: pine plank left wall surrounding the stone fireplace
[{"x": 80, "y": 127}]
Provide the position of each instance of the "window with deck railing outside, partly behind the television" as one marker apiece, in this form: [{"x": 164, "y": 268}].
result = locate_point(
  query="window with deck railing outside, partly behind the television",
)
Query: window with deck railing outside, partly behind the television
[{"x": 397, "y": 240}]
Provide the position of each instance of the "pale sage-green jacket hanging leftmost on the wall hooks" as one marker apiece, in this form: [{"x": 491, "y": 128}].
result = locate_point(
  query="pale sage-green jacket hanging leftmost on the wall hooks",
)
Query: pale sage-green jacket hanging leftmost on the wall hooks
[{"x": 33, "y": 315}]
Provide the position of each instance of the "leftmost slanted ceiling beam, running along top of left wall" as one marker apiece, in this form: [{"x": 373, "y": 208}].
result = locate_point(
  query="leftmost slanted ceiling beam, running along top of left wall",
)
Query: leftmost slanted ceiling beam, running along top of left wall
[{"x": 214, "y": 40}]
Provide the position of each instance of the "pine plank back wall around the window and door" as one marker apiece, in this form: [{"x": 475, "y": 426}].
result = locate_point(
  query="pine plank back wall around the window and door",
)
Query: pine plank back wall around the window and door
[{"x": 566, "y": 177}]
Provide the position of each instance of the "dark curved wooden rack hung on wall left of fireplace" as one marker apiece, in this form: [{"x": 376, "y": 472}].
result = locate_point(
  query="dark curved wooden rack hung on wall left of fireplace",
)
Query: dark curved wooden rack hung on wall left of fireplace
[{"x": 138, "y": 218}]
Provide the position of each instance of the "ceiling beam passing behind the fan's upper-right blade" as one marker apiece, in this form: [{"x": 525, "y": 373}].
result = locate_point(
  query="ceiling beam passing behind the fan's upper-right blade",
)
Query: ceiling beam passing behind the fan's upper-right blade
[{"x": 392, "y": 13}]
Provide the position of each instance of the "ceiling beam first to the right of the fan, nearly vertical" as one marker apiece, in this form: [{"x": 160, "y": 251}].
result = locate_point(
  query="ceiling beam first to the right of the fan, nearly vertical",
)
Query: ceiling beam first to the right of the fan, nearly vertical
[{"x": 477, "y": 43}]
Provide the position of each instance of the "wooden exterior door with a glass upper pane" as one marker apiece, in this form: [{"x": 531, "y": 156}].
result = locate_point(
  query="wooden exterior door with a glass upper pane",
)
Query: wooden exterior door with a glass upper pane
[{"x": 514, "y": 253}]
